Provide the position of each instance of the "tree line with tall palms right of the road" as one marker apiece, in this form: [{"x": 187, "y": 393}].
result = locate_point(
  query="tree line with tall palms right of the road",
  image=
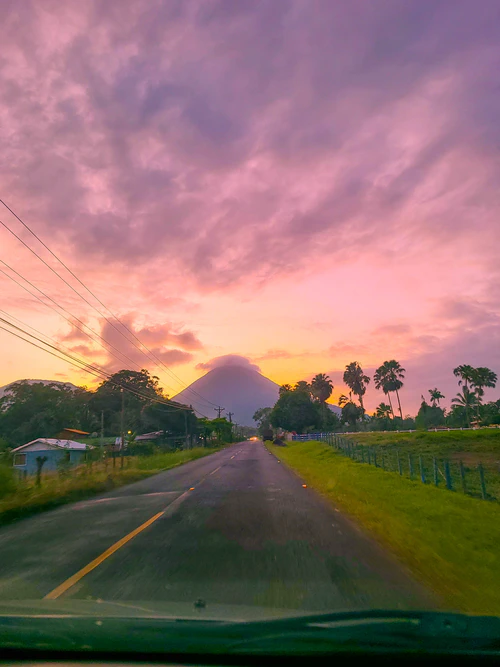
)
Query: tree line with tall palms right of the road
[{"x": 302, "y": 407}]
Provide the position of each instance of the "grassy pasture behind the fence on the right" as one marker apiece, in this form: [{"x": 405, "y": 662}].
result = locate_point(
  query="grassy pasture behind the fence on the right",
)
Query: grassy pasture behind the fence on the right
[{"x": 472, "y": 448}]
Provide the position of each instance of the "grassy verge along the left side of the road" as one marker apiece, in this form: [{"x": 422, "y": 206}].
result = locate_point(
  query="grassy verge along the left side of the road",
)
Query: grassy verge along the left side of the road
[{"x": 19, "y": 498}]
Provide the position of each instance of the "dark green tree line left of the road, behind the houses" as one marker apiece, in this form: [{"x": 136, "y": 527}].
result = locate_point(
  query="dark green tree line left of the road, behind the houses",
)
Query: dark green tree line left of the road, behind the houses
[{"x": 30, "y": 411}]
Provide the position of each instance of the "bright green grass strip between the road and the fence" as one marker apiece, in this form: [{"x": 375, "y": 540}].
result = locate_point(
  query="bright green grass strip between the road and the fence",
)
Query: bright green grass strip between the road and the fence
[{"x": 449, "y": 541}]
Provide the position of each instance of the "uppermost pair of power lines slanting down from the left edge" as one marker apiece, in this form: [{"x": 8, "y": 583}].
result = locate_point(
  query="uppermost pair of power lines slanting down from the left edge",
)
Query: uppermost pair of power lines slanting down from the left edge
[{"x": 26, "y": 226}]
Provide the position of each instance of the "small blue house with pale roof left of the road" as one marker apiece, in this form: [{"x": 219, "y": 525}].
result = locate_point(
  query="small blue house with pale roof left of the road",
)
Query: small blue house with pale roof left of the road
[{"x": 55, "y": 451}]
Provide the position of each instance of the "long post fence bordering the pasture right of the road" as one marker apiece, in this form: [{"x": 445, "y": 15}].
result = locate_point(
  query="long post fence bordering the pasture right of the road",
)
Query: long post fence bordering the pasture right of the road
[{"x": 450, "y": 474}]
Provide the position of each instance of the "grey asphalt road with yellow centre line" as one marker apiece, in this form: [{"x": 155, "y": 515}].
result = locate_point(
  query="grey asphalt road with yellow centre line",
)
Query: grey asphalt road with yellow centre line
[{"x": 235, "y": 528}]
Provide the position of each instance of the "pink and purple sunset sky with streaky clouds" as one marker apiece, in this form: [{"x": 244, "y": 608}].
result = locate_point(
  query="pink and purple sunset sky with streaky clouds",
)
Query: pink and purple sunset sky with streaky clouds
[{"x": 304, "y": 184}]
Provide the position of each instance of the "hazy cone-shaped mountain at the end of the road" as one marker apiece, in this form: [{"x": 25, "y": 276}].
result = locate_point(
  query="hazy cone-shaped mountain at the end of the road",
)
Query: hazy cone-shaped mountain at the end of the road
[{"x": 237, "y": 389}]
